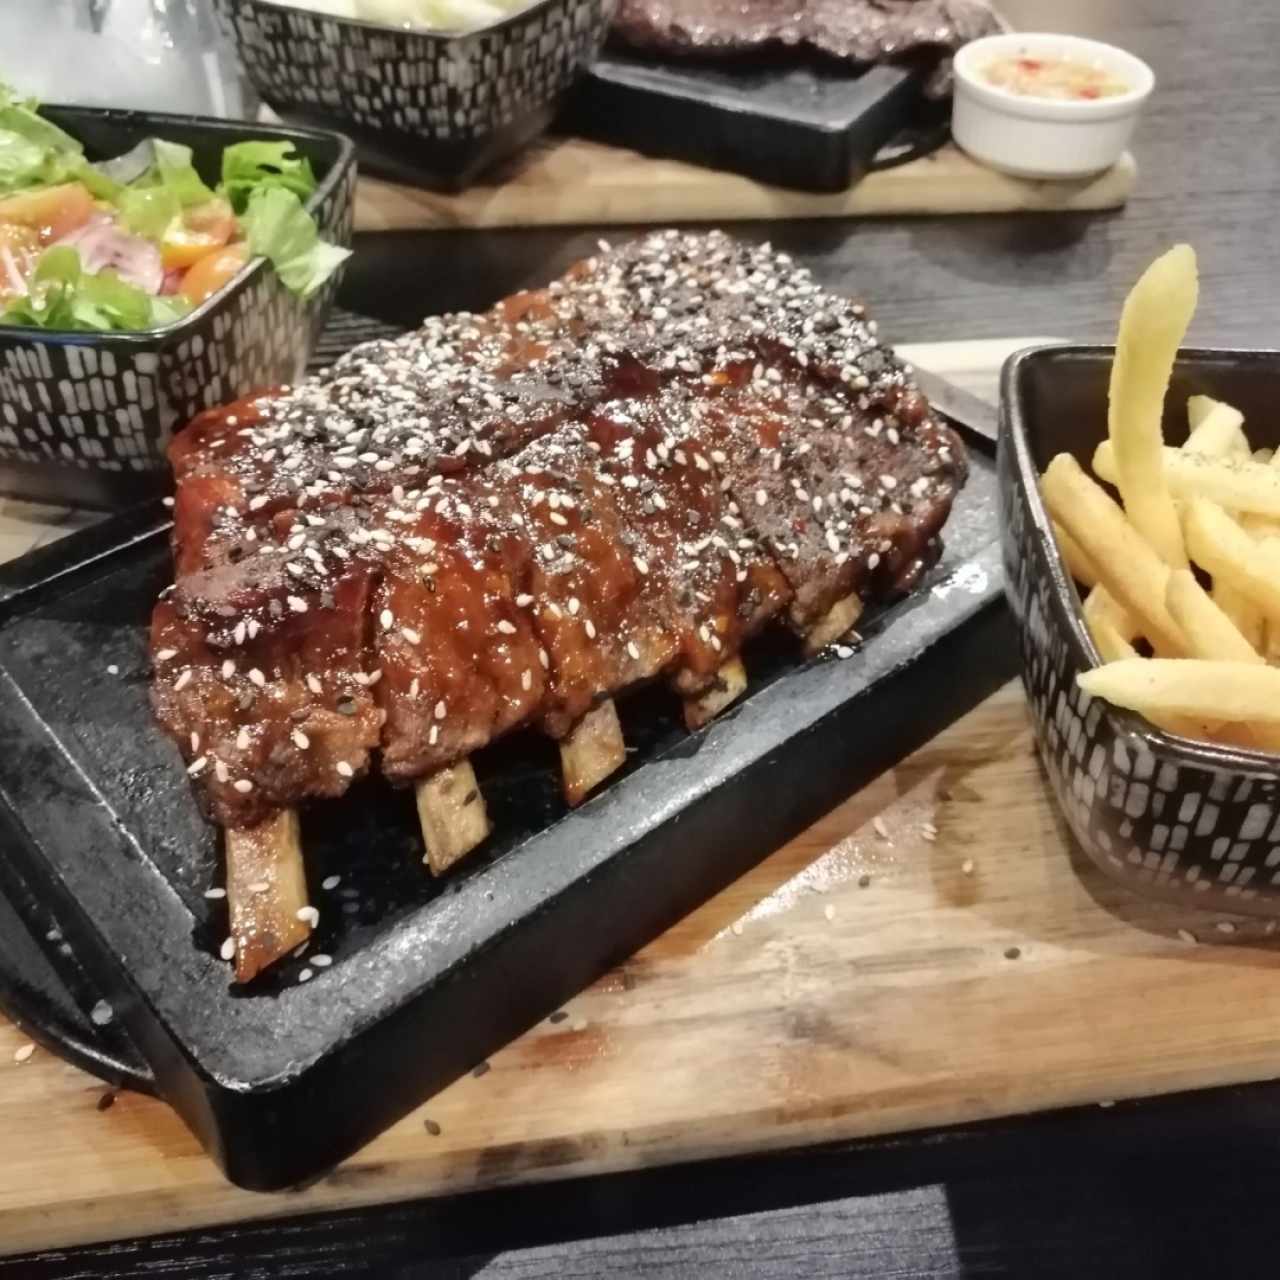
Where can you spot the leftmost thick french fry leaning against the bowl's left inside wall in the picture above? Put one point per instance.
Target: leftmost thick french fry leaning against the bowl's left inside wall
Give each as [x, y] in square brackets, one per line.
[1131, 572]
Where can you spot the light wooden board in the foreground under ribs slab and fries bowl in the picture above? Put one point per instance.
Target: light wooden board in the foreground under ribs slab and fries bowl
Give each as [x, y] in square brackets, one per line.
[931, 953]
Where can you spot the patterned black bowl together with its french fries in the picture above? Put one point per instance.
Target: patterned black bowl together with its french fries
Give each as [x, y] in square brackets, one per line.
[1141, 490]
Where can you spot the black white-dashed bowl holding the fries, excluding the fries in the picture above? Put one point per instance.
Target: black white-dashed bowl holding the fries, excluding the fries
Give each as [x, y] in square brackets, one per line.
[1176, 820]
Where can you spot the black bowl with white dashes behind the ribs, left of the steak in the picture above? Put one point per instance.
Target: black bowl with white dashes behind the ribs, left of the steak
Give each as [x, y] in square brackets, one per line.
[427, 108]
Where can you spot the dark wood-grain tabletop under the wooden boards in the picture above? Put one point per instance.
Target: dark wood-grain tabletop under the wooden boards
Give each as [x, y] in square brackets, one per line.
[1182, 1186]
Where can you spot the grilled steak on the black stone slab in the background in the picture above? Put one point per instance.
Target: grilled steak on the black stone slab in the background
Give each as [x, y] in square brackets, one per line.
[865, 31]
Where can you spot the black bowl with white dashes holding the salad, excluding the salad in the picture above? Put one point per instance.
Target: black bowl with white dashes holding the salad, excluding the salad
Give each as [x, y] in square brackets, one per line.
[85, 418]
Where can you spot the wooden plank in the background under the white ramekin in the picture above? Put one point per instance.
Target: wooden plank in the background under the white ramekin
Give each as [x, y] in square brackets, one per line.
[572, 181]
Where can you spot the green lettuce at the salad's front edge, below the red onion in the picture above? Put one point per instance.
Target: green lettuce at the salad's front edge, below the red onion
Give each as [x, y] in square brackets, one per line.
[65, 296]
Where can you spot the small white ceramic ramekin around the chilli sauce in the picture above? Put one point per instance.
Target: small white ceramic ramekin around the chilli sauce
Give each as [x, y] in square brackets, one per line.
[1040, 138]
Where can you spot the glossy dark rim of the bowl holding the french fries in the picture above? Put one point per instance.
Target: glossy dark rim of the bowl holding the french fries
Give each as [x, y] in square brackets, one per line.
[1064, 595]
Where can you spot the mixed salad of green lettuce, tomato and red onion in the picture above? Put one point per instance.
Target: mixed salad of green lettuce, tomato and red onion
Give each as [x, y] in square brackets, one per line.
[136, 243]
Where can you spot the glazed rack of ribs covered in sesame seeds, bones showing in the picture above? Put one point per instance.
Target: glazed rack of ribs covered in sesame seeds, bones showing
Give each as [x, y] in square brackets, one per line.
[511, 519]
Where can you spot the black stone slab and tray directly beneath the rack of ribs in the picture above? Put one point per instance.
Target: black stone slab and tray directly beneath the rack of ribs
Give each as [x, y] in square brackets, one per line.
[107, 860]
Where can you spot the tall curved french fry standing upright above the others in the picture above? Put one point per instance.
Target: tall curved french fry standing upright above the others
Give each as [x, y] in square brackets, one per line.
[1153, 327]
